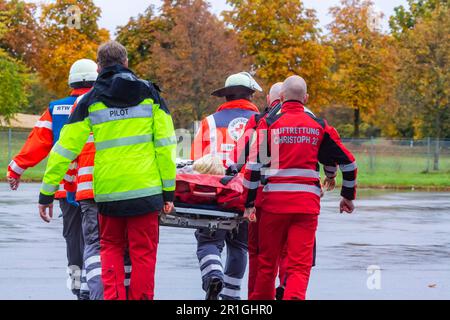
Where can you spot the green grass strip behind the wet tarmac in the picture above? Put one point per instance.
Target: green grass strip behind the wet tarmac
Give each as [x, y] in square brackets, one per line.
[404, 170]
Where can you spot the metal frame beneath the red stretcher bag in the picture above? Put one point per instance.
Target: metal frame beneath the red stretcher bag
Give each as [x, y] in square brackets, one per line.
[194, 218]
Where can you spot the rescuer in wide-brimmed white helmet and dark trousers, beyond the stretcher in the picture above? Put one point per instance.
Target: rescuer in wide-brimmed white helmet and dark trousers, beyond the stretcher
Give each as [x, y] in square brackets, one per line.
[218, 136]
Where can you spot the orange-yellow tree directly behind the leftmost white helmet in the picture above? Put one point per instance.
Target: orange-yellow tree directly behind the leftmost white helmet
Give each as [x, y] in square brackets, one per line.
[71, 32]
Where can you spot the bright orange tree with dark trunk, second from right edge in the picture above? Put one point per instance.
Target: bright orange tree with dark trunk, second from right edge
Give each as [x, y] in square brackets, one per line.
[364, 69]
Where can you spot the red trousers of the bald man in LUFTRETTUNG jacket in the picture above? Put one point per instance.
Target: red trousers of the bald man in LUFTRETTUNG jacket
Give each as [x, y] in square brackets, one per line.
[296, 232]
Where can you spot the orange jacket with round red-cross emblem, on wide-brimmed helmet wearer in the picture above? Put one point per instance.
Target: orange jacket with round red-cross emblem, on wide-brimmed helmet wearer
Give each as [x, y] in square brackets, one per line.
[220, 131]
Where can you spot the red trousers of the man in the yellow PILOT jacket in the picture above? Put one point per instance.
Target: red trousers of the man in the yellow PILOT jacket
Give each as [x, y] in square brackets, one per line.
[140, 235]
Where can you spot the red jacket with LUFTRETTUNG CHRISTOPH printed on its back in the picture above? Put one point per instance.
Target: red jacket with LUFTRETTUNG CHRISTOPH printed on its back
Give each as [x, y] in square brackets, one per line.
[286, 159]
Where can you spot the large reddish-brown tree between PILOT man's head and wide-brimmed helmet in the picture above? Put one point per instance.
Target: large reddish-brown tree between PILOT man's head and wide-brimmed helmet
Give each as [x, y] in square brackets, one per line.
[188, 51]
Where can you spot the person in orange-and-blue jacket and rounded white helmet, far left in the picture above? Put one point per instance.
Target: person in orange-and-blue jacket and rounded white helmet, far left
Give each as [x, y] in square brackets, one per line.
[43, 137]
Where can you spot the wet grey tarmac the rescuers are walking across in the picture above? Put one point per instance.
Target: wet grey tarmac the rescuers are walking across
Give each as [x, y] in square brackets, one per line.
[405, 234]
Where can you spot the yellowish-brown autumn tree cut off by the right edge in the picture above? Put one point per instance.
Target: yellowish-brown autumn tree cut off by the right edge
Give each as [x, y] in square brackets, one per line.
[424, 81]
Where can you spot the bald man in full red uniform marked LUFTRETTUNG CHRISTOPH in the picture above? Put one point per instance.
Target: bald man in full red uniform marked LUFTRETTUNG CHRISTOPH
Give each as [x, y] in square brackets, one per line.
[289, 147]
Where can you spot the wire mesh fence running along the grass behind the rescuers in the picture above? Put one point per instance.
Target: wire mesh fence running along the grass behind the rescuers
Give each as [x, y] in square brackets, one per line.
[375, 157]
